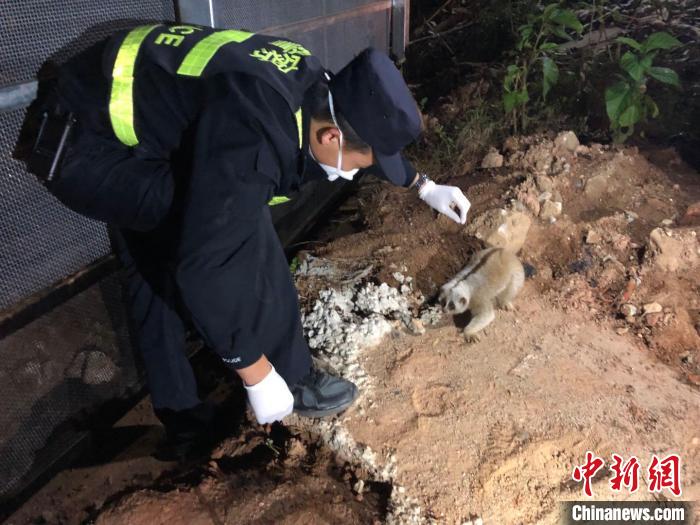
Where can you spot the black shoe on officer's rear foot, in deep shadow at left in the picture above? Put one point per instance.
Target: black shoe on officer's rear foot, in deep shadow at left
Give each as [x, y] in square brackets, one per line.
[189, 434]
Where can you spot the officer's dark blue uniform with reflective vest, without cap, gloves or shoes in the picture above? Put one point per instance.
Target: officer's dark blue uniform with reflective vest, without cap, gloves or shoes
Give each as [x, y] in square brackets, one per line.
[190, 197]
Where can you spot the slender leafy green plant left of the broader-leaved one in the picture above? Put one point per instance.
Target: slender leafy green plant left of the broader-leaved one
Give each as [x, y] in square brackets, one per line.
[536, 44]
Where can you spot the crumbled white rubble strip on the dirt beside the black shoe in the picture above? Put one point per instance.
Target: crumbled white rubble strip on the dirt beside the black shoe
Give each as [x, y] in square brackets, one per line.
[340, 325]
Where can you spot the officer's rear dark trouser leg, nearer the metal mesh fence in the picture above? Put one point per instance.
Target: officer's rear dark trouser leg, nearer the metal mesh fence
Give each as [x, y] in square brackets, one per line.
[159, 329]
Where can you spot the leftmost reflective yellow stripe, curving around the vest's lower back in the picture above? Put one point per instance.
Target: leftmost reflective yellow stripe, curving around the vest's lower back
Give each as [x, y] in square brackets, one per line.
[121, 101]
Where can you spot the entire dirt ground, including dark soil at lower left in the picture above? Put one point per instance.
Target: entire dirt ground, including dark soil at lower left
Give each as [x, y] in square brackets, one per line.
[601, 353]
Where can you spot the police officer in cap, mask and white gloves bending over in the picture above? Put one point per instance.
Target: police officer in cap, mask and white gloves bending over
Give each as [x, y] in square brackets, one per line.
[184, 137]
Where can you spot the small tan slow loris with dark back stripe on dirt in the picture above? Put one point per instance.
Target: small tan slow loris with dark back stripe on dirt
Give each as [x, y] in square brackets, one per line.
[493, 276]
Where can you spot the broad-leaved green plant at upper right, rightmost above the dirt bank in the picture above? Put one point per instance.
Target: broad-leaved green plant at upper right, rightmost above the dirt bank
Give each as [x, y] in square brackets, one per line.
[627, 101]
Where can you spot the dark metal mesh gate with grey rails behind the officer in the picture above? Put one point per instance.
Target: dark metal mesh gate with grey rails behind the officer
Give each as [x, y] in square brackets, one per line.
[64, 345]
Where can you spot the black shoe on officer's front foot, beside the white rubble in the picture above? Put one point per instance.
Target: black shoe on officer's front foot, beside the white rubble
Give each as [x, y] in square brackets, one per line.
[320, 394]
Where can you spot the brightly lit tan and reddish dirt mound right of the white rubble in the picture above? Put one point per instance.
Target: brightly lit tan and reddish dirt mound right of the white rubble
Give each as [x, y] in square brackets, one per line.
[492, 429]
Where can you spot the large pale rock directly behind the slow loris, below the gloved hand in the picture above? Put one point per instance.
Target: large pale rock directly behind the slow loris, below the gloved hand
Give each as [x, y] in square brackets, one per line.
[501, 228]
